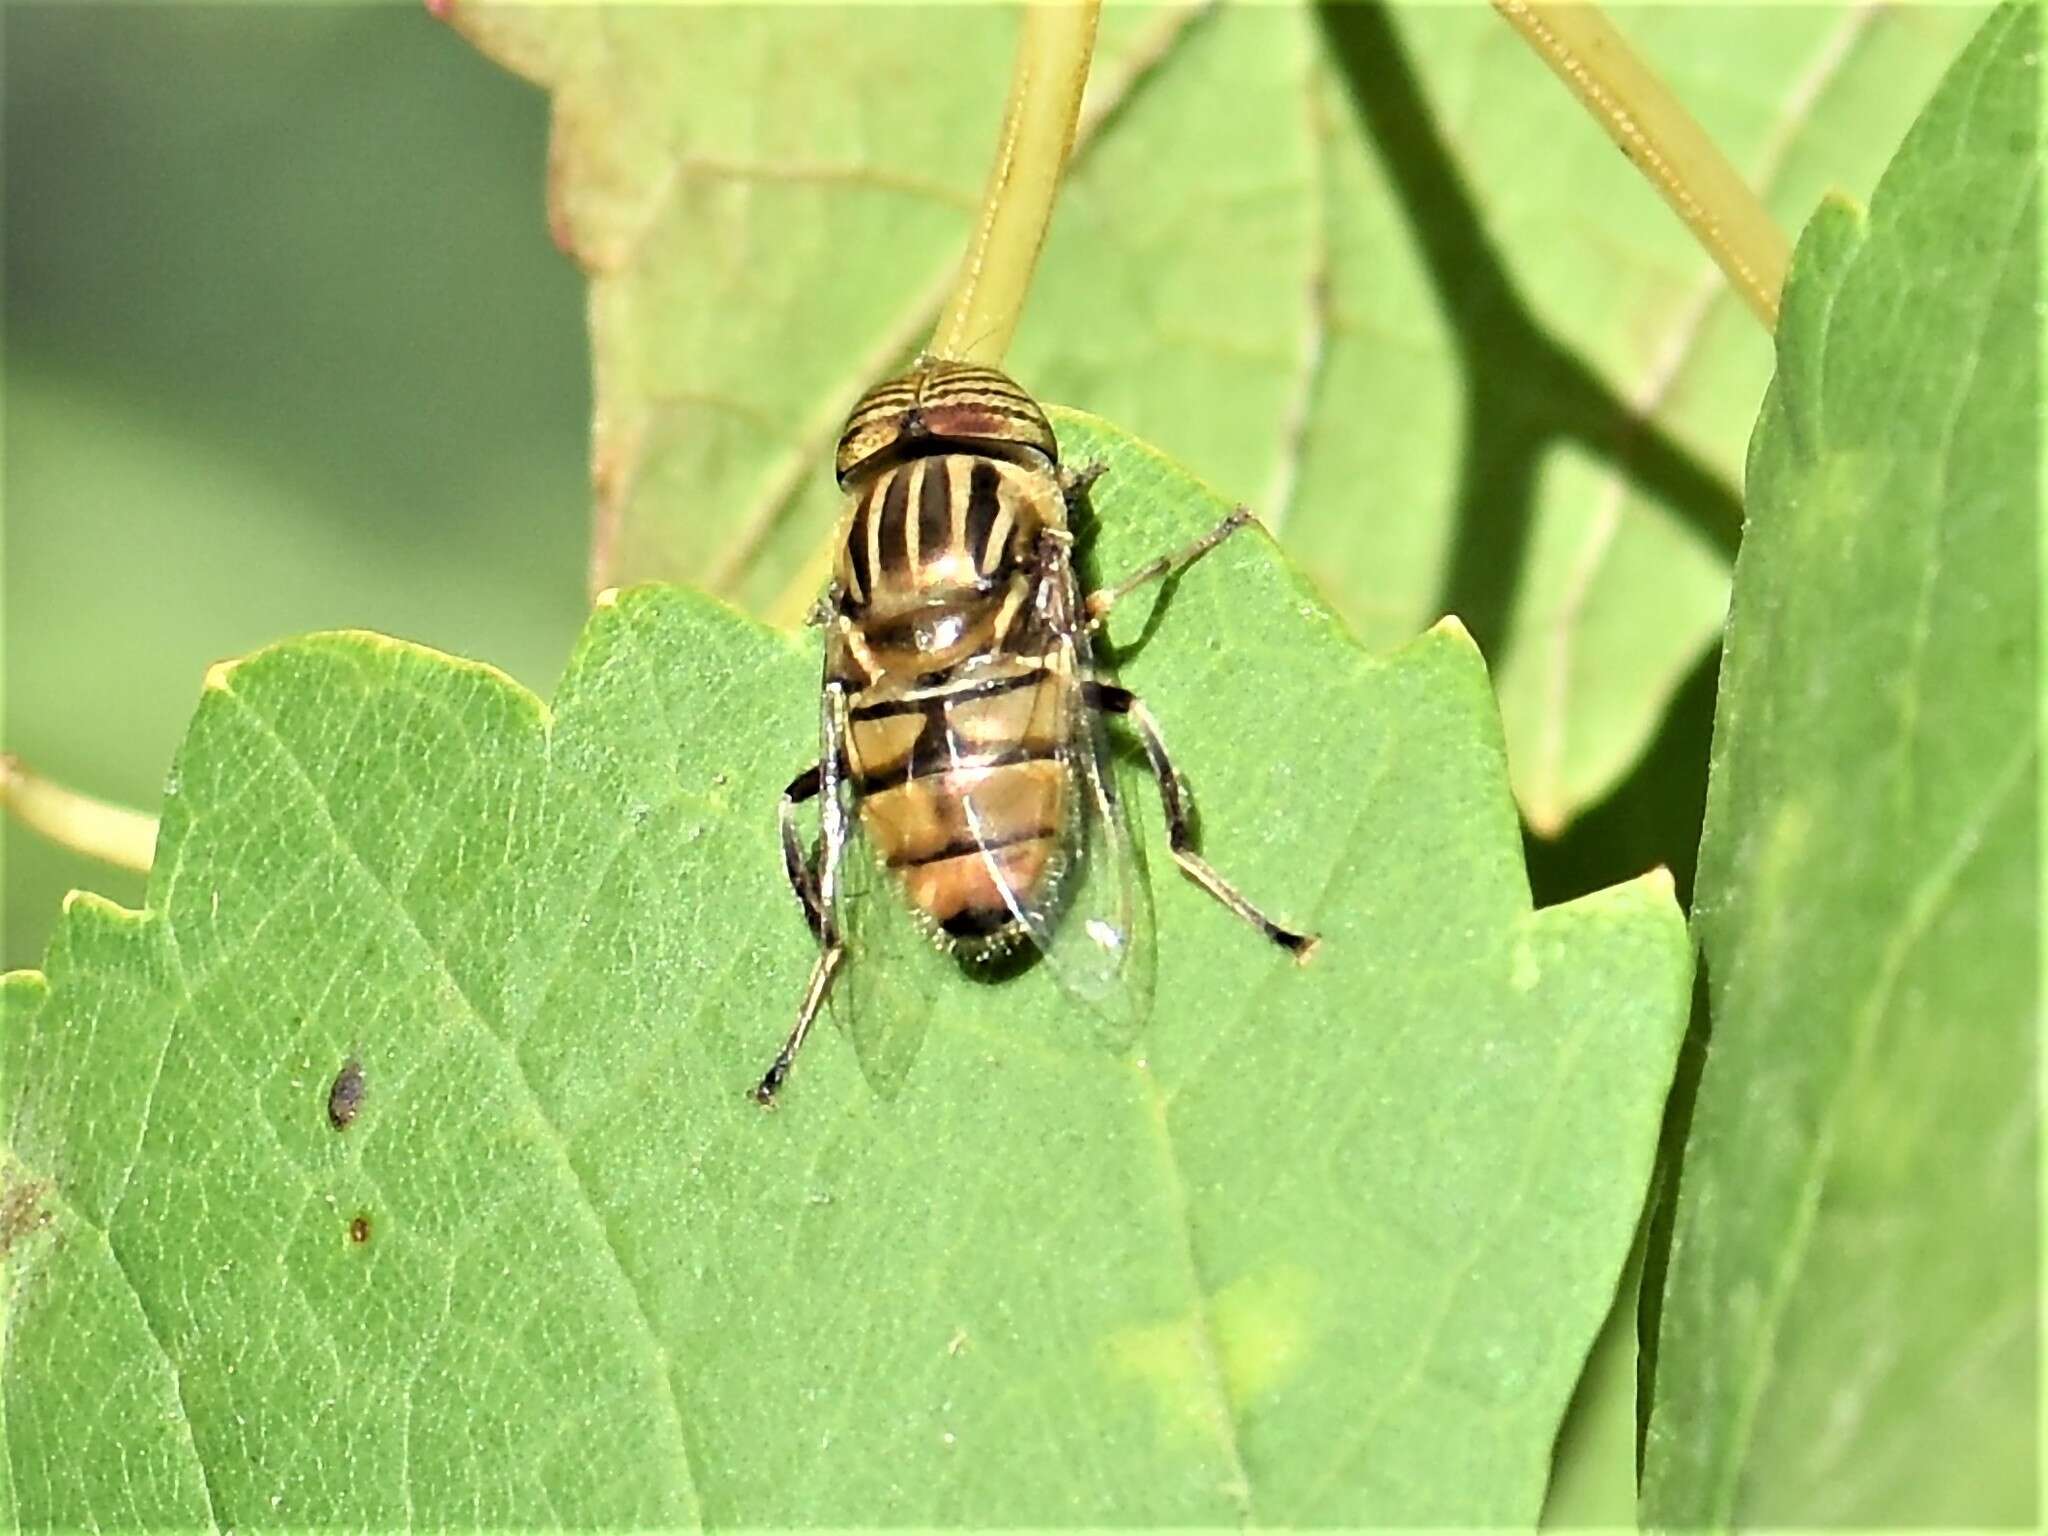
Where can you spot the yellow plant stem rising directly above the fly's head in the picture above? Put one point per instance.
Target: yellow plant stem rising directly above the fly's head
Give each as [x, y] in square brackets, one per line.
[1056, 44]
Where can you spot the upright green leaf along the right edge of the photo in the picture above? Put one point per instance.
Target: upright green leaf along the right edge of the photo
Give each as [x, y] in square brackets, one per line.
[1850, 1326]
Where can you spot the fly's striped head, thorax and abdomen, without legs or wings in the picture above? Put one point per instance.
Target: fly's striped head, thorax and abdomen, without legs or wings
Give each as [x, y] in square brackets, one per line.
[962, 701]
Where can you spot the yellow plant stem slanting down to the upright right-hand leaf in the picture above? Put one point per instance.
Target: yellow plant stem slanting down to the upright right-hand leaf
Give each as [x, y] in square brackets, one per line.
[1664, 142]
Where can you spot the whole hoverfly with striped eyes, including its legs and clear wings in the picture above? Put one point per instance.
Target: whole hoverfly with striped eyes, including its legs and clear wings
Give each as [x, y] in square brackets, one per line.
[962, 746]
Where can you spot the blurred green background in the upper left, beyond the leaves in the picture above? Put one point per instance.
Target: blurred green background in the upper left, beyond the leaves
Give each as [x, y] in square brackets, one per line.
[288, 349]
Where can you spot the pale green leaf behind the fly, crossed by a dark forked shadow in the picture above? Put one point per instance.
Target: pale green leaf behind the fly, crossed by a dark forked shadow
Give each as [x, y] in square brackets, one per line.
[1371, 271]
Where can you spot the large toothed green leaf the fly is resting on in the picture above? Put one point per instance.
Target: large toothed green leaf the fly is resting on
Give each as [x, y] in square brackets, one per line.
[1326, 1246]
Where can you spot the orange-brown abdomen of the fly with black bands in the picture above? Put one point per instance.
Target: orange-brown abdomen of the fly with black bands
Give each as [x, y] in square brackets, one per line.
[964, 790]
